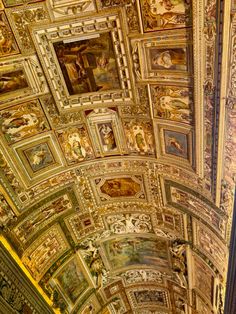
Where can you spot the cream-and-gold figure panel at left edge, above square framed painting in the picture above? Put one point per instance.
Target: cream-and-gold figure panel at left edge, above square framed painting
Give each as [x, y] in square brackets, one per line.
[22, 121]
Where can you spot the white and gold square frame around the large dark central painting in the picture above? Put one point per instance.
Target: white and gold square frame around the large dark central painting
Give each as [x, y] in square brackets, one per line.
[45, 37]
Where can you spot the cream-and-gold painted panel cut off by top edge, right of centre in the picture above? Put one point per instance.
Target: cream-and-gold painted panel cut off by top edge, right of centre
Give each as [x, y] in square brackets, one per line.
[164, 14]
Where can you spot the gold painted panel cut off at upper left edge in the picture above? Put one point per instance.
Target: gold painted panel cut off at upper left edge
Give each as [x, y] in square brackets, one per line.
[8, 44]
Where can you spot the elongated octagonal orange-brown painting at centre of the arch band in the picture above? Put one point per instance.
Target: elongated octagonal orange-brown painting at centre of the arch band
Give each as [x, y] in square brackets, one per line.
[120, 187]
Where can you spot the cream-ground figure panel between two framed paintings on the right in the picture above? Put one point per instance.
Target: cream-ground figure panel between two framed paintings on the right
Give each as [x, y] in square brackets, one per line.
[172, 103]
